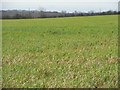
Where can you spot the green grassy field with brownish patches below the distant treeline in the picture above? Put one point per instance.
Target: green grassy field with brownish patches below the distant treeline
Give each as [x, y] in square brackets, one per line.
[60, 52]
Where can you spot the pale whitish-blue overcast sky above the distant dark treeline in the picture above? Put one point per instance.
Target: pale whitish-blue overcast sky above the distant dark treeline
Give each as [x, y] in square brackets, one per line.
[59, 5]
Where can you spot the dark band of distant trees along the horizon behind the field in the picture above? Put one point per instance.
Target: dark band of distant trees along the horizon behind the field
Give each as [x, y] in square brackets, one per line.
[24, 14]
